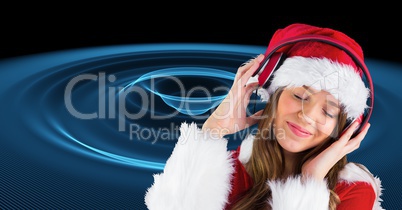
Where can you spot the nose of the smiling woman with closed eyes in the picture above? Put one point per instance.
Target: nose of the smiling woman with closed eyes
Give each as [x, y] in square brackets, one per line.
[311, 113]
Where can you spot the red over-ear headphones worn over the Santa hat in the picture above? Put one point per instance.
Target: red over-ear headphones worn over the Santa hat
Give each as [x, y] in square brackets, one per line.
[274, 59]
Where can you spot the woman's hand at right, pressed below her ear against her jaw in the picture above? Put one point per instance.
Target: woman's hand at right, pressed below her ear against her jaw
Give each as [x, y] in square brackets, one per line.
[320, 165]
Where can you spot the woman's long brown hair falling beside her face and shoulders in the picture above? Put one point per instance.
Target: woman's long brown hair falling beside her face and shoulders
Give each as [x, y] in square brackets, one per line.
[267, 161]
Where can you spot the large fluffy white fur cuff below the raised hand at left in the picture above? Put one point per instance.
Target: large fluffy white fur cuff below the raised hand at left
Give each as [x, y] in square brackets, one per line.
[196, 176]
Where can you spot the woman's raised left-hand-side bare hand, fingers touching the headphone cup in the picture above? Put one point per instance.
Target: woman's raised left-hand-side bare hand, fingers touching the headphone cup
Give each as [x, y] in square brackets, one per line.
[231, 115]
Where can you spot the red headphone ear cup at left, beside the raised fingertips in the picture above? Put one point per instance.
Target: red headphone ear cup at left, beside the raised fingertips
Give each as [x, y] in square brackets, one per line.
[272, 64]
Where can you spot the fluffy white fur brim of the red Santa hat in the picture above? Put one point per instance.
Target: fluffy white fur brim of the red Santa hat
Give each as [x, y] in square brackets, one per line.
[341, 80]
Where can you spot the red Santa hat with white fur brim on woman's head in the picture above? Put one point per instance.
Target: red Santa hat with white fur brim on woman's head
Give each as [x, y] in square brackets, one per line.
[321, 66]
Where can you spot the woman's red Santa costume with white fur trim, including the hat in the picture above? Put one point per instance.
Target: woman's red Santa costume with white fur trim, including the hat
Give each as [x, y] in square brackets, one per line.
[202, 174]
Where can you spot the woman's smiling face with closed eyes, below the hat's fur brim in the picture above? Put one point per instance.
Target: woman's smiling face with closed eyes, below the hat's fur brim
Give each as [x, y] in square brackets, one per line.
[305, 118]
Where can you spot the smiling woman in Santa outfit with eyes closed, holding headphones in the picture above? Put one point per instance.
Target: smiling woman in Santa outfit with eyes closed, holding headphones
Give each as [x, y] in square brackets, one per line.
[297, 159]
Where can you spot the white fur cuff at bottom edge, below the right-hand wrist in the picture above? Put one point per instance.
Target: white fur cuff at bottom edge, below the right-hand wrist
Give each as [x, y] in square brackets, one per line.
[300, 194]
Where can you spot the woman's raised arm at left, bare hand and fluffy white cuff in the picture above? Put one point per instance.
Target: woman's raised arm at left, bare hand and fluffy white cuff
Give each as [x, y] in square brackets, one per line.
[198, 173]
